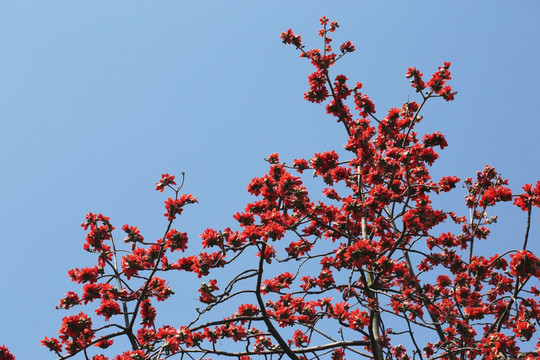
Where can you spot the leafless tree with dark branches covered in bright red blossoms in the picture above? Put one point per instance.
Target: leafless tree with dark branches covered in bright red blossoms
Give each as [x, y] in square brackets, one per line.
[356, 273]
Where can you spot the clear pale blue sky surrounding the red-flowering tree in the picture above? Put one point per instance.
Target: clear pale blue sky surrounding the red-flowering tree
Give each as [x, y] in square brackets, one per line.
[98, 98]
